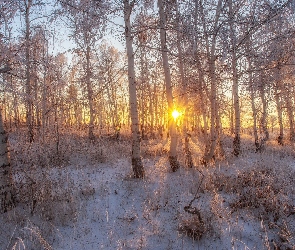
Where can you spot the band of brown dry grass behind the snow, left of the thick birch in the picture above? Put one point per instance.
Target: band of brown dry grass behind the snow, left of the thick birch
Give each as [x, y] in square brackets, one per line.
[46, 152]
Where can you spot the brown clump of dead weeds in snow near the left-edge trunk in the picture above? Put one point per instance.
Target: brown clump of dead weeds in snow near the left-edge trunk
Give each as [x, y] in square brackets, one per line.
[47, 196]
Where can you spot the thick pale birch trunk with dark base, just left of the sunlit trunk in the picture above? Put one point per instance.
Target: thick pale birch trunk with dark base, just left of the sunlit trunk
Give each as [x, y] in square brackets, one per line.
[137, 165]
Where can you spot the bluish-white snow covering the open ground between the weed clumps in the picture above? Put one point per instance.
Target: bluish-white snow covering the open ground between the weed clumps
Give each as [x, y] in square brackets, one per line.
[109, 209]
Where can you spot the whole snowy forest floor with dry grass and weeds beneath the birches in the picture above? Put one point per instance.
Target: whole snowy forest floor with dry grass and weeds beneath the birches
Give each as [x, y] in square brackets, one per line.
[85, 197]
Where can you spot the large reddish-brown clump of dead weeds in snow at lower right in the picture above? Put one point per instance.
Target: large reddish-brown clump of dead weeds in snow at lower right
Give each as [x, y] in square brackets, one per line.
[266, 190]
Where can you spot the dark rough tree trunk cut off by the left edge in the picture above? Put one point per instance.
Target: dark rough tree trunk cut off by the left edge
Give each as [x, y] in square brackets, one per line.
[7, 194]
